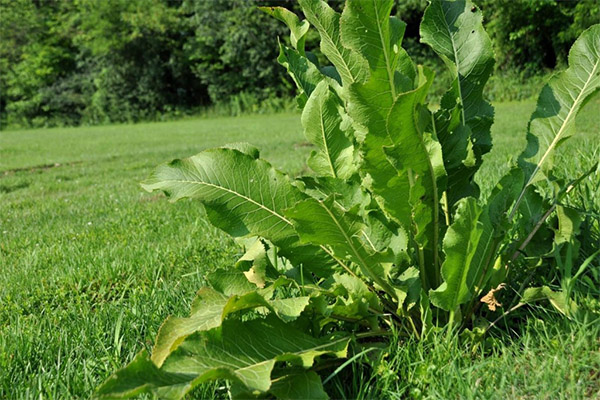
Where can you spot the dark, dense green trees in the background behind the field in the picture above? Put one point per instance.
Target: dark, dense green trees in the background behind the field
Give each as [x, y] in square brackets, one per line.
[85, 61]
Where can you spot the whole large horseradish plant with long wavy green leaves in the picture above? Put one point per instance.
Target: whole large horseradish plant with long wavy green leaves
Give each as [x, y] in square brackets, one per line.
[389, 234]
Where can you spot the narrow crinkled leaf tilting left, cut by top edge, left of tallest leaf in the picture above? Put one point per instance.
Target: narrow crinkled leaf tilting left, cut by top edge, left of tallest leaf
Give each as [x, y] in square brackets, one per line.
[350, 66]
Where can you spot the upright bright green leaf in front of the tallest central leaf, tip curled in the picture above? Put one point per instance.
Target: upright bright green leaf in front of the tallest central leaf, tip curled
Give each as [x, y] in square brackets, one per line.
[420, 176]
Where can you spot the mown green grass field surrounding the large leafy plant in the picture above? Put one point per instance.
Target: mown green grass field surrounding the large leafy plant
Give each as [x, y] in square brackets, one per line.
[90, 265]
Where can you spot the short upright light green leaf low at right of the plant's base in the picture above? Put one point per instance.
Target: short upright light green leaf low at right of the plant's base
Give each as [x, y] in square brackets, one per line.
[459, 269]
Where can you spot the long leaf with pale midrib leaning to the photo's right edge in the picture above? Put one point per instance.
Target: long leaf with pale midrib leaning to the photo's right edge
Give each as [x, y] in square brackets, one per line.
[558, 104]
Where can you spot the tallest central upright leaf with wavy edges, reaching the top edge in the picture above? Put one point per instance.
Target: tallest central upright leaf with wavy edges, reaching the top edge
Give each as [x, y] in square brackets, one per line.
[368, 29]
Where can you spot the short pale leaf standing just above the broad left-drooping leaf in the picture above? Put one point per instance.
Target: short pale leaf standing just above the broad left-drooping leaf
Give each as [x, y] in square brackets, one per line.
[322, 121]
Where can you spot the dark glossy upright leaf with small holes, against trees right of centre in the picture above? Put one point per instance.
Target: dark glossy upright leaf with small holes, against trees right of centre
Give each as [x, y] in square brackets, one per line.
[454, 31]
